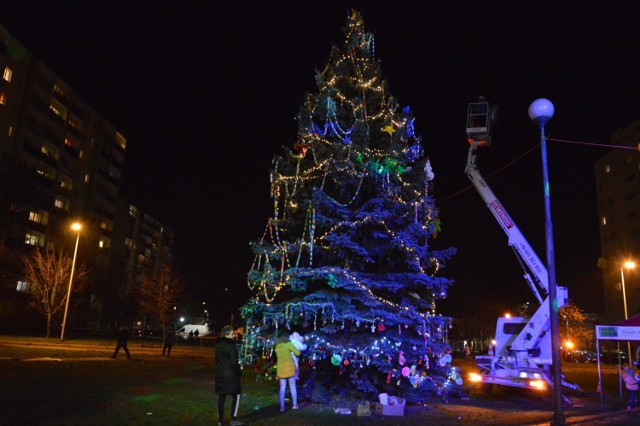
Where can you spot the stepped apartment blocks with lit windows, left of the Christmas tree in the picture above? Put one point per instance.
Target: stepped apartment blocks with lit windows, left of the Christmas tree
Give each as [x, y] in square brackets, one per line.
[62, 162]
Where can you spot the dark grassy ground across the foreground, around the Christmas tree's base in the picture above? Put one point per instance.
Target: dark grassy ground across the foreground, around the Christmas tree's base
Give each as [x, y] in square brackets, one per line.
[77, 383]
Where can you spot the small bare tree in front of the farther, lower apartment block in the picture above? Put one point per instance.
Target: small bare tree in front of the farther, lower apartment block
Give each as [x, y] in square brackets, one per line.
[159, 293]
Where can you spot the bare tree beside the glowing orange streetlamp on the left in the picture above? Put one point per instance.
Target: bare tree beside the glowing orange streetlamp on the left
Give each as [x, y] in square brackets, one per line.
[47, 273]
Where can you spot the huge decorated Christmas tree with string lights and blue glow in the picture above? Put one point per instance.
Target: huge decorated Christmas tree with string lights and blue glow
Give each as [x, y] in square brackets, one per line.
[346, 259]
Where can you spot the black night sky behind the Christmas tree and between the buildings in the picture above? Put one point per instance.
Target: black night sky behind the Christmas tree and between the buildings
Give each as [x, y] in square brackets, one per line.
[207, 91]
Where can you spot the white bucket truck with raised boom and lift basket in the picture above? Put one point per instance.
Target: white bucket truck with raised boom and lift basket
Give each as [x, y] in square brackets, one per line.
[522, 356]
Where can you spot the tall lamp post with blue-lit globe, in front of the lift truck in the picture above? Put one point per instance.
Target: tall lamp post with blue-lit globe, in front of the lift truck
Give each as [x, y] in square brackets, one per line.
[541, 110]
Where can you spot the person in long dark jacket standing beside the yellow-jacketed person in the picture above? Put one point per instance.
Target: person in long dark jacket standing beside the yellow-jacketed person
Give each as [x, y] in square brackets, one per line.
[228, 374]
